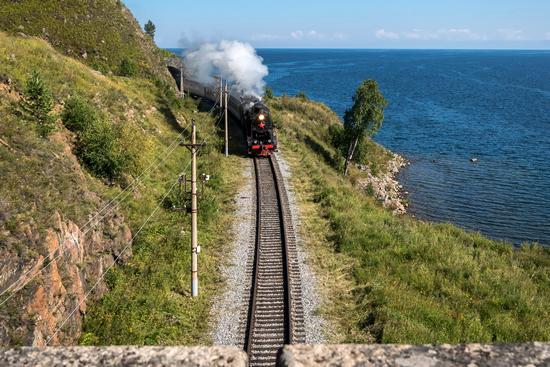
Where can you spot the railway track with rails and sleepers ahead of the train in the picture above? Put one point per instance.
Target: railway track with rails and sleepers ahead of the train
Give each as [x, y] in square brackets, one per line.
[275, 311]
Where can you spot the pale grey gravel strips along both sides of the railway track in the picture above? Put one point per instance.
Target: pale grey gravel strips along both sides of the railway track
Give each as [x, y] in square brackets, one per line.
[228, 309]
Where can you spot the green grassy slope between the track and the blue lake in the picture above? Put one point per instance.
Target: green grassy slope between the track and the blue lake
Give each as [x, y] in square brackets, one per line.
[399, 280]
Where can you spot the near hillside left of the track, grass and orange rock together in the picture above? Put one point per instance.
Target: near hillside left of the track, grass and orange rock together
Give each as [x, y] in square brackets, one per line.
[64, 223]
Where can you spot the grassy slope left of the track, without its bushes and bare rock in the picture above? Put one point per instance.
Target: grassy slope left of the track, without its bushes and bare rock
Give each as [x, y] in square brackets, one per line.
[148, 302]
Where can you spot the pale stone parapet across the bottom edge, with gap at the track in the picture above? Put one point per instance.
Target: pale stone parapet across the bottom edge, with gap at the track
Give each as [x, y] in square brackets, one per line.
[478, 355]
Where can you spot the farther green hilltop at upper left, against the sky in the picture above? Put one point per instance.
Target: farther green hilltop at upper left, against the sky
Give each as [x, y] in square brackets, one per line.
[103, 30]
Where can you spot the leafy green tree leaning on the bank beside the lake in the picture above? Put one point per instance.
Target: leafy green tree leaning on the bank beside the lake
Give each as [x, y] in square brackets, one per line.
[365, 117]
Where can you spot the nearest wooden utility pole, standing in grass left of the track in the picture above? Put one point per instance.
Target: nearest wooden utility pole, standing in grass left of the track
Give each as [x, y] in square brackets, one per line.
[195, 248]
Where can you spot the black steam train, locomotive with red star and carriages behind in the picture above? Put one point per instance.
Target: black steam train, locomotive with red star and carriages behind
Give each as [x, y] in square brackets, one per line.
[249, 110]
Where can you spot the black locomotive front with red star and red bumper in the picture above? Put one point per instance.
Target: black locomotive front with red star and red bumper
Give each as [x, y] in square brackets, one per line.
[262, 138]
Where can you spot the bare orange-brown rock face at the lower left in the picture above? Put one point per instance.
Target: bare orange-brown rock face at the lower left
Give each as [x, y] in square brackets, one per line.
[48, 294]
